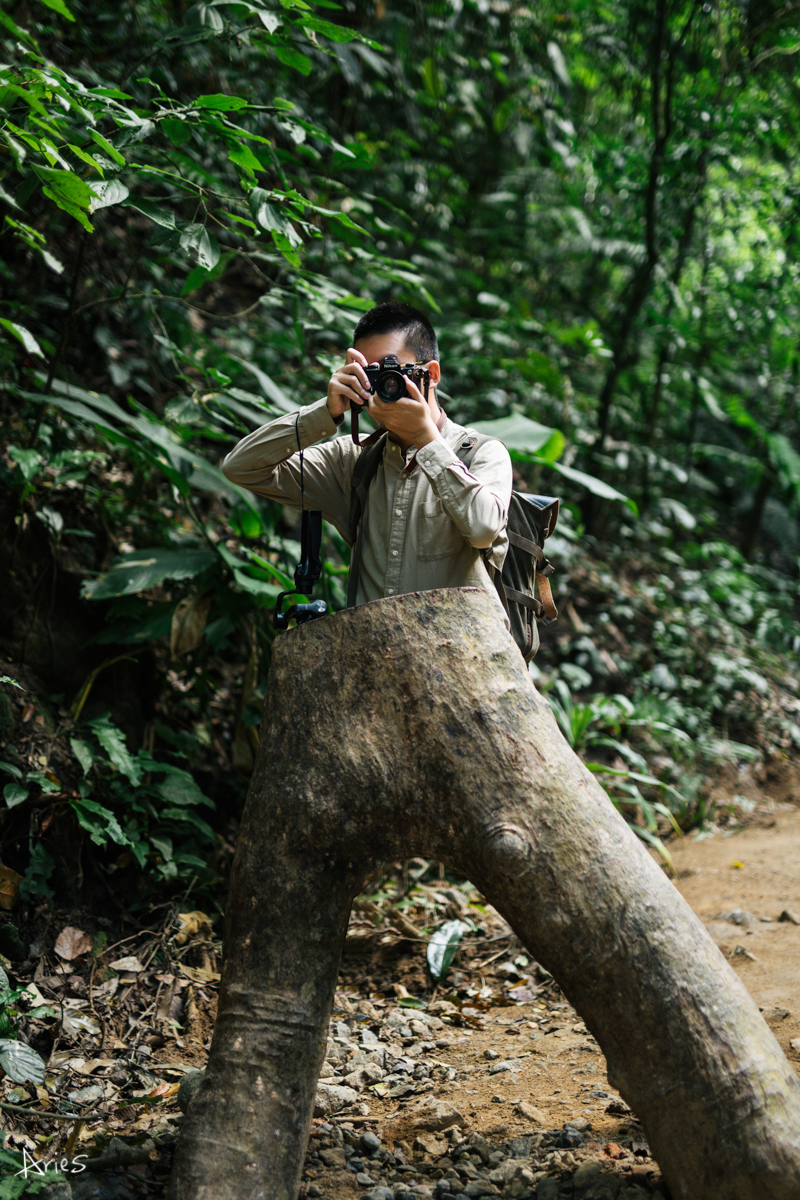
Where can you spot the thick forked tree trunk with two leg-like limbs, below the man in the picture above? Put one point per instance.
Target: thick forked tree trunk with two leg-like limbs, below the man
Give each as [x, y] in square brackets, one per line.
[411, 727]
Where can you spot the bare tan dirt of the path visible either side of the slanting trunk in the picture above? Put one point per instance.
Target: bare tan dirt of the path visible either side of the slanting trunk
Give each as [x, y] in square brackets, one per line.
[745, 887]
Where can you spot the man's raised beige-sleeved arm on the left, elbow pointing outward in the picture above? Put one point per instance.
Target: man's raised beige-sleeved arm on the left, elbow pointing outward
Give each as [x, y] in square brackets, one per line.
[267, 463]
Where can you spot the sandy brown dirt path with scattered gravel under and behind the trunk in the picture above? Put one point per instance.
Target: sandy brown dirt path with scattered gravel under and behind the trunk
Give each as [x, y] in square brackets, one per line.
[552, 1072]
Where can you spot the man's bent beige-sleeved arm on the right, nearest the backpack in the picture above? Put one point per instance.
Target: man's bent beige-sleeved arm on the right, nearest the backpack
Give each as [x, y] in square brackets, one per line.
[477, 500]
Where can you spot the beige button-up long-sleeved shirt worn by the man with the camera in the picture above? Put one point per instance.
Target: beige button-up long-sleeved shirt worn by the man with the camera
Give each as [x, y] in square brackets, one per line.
[425, 524]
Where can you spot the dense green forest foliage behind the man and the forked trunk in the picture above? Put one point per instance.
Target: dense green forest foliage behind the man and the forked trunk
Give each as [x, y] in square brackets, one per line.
[598, 205]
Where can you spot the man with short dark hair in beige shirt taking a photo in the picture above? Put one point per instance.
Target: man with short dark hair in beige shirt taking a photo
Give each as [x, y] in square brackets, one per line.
[428, 518]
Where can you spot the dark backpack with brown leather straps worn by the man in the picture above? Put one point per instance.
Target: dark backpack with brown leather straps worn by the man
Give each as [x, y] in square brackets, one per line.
[532, 520]
